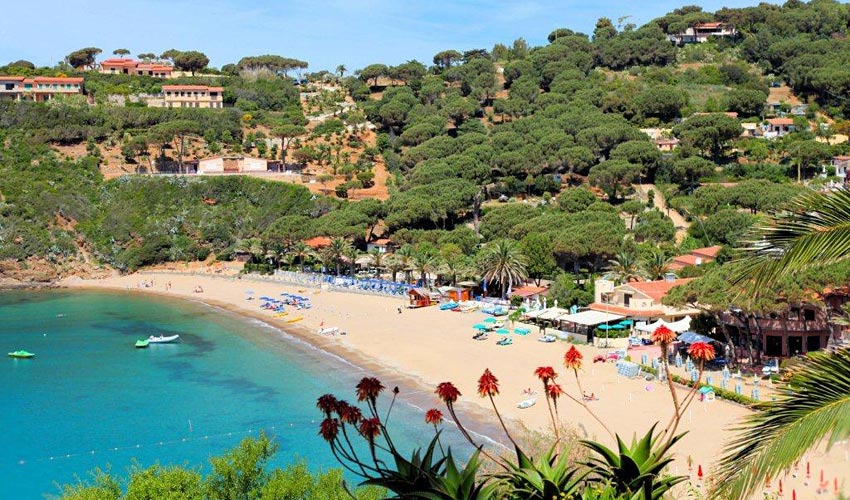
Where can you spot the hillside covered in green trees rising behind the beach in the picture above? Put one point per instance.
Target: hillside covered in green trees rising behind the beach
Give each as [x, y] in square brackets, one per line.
[541, 147]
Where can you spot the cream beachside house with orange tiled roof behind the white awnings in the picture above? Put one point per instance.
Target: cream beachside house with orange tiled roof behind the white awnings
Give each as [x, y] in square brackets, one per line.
[638, 300]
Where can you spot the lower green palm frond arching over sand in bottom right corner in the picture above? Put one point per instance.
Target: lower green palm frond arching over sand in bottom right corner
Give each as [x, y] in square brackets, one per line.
[813, 408]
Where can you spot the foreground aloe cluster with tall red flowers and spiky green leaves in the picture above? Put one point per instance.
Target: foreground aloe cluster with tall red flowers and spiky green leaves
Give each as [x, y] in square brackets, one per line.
[633, 472]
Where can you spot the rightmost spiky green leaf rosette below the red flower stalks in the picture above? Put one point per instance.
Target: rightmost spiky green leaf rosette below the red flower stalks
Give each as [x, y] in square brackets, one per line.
[635, 469]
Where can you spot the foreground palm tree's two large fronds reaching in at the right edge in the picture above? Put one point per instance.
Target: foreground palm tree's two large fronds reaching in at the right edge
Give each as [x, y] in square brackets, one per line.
[814, 231]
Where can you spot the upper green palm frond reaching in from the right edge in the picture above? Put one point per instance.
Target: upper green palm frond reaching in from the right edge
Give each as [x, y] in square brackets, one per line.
[814, 231]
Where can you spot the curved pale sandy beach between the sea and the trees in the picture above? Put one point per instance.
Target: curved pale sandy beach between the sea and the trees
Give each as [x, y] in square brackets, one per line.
[423, 347]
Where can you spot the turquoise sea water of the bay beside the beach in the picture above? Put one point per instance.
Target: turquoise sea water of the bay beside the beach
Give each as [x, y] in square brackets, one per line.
[90, 399]
